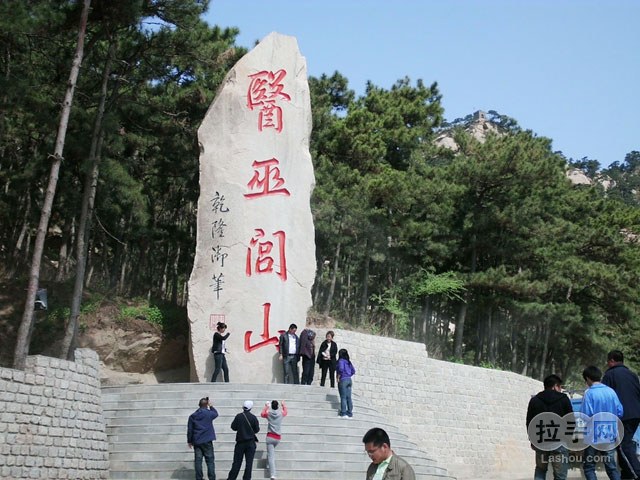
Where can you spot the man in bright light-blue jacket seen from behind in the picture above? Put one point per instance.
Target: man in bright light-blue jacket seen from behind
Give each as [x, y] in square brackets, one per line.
[599, 398]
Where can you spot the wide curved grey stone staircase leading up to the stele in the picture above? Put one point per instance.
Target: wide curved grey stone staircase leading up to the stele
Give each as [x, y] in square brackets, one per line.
[147, 425]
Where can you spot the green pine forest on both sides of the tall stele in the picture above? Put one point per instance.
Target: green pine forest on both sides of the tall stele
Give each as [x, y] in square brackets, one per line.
[488, 249]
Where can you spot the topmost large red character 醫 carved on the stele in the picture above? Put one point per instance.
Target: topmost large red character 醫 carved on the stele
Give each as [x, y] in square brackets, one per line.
[264, 91]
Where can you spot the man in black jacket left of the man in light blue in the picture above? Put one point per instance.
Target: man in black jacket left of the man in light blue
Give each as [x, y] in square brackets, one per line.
[550, 400]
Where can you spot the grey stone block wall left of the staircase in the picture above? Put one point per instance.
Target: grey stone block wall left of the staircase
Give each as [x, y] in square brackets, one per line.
[51, 422]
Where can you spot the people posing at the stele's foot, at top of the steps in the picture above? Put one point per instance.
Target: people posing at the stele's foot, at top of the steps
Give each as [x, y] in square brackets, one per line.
[292, 348]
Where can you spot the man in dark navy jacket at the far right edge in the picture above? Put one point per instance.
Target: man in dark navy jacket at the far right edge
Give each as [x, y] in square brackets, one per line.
[627, 386]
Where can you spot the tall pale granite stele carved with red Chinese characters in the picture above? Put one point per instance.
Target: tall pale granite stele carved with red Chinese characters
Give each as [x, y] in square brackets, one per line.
[255, 254]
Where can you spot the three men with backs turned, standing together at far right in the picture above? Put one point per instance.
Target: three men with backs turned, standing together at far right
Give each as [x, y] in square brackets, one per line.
[609, 397]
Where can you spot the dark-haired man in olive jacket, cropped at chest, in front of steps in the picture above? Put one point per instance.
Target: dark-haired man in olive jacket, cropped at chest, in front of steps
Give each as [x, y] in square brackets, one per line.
[385, 465]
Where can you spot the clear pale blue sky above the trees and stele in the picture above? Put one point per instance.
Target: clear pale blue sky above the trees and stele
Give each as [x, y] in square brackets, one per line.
[566, 69]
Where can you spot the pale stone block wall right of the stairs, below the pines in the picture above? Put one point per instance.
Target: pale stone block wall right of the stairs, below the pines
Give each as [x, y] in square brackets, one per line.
[470, 420]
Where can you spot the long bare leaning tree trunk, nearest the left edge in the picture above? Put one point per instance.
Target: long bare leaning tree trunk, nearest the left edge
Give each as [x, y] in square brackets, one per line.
[26, 324]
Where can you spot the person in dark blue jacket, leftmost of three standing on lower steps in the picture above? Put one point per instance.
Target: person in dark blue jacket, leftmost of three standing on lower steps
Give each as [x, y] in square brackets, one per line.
[200, 437]
